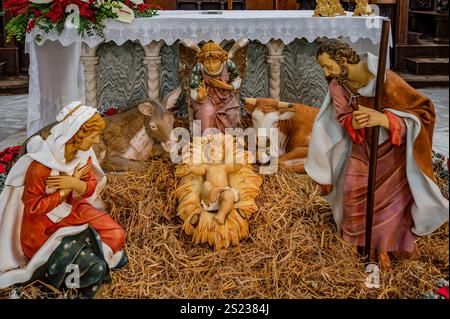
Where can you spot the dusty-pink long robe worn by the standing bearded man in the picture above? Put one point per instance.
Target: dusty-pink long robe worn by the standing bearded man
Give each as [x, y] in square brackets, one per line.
[392, 220]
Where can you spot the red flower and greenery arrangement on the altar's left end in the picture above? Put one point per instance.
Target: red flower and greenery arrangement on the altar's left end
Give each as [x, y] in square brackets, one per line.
[87, 16]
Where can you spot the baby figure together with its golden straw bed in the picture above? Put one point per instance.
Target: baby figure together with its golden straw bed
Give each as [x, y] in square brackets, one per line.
[217, 195]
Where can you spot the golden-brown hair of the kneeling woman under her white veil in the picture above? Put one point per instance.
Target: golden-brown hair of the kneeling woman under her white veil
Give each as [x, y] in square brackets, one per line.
[94, 124]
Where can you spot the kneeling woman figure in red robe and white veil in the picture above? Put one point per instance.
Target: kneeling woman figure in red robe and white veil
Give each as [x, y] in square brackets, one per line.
[50, 195]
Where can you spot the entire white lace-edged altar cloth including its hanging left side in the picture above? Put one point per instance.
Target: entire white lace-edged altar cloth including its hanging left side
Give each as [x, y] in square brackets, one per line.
[56, 76]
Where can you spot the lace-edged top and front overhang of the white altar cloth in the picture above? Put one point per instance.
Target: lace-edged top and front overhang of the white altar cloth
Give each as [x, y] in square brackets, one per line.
[229, 25]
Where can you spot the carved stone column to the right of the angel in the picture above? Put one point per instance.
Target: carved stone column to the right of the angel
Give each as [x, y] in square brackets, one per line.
[275, 59]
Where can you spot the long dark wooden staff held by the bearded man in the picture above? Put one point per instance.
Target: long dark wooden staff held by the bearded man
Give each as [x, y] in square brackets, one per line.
[382, 57]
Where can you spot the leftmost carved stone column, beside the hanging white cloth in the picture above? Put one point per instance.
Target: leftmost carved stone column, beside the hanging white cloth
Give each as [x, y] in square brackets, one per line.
[90, 61]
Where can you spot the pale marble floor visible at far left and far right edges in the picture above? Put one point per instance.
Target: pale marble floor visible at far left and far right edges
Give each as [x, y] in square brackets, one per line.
[13, 118]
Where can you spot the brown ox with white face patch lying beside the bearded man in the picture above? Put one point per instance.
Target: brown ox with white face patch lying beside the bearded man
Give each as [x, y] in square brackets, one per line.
[294, 121]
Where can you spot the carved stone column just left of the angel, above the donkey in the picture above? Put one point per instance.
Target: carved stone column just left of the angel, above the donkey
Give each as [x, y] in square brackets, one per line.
[152, 60]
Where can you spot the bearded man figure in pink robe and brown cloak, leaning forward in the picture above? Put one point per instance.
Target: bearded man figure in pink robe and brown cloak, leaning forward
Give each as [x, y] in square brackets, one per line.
[408, 203]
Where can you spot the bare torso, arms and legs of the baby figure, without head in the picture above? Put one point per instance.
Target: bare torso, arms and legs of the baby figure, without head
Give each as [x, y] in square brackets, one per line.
[216, 193]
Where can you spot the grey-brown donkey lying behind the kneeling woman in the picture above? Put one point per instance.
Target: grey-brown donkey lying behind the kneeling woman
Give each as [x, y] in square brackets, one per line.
[136, 134]
